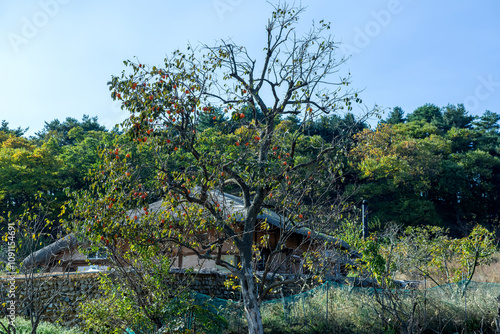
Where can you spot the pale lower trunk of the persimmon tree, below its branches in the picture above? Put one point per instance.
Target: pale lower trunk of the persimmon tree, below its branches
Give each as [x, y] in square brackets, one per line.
[251, 303]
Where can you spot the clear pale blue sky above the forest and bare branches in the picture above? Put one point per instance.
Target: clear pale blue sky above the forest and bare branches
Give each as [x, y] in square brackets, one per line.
[56, 56]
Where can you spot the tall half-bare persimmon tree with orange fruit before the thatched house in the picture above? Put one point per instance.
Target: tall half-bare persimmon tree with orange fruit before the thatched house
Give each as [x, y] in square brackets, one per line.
[267, 162]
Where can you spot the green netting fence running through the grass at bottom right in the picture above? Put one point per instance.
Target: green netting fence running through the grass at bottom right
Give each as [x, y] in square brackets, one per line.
[342, 308]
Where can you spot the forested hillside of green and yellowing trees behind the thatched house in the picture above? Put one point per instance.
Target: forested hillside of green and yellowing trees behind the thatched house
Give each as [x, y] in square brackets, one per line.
[434, 166]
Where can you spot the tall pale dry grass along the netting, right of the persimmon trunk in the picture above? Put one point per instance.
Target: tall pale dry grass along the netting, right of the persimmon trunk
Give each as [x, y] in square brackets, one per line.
[444, 309]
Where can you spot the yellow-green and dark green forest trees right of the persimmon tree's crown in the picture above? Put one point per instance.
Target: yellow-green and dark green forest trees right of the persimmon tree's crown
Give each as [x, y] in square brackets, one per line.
[424, 172]
